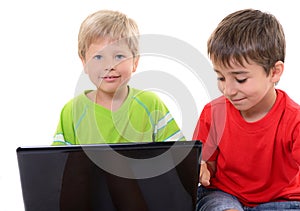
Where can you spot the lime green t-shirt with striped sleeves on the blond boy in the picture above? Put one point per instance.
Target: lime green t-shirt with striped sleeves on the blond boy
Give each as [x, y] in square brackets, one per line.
[143, 117]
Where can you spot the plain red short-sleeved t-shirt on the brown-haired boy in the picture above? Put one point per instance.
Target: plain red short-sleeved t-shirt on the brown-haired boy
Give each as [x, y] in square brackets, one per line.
[257, 162]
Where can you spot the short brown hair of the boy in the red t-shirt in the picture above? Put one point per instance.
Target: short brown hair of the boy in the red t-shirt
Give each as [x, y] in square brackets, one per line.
[247, 35]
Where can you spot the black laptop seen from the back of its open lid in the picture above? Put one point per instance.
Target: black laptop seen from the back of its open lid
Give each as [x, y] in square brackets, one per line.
[156, 176]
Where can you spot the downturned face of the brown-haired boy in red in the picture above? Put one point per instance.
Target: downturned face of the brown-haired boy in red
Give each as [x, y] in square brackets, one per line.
[248, 88]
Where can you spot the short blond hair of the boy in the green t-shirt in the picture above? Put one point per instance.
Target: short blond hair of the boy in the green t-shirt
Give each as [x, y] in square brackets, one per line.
[111, 25]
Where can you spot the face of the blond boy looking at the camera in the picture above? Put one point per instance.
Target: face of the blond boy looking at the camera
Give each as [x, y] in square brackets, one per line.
[109, 65]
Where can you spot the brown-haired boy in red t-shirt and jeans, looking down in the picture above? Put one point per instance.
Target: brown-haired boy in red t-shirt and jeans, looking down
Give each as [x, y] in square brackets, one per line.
[251, 134]
